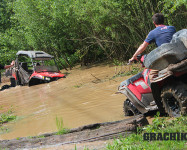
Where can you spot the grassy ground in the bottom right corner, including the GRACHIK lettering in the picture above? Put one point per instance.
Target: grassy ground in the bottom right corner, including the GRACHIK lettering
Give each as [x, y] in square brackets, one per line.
[164, 133]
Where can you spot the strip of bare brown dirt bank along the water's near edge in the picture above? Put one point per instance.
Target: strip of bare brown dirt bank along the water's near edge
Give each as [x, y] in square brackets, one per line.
[89, 133]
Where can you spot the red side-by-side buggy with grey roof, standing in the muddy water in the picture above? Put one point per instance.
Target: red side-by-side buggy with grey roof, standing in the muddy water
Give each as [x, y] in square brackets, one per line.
[34, 67]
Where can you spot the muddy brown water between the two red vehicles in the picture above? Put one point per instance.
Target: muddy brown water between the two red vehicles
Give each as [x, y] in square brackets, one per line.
[86, 96]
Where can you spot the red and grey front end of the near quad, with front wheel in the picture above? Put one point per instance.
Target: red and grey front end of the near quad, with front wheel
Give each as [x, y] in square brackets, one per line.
[139, 94]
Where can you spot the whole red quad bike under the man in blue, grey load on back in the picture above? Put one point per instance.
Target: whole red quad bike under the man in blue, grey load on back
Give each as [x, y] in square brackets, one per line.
[168, 91]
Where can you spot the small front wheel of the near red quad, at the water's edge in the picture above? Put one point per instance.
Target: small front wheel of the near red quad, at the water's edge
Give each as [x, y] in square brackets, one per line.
[129, 109]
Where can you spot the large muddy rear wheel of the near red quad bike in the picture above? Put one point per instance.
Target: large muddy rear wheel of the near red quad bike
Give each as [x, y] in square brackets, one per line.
[174, 99]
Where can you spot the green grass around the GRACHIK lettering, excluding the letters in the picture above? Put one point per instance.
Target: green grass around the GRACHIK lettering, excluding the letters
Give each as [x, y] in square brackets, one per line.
[160, 125]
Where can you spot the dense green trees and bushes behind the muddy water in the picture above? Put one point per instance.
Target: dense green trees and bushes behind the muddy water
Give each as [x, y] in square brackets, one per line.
[82, 31]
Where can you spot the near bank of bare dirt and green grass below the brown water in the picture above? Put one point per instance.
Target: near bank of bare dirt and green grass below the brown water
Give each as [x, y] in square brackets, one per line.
[123, 134]
